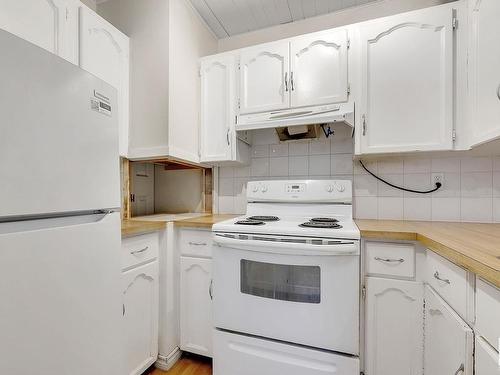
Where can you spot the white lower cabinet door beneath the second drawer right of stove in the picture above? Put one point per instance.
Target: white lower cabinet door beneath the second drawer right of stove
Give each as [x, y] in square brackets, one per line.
[448, 339]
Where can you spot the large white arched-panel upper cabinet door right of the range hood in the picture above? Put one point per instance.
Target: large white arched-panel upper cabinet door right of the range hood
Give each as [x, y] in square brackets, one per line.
[407, 64]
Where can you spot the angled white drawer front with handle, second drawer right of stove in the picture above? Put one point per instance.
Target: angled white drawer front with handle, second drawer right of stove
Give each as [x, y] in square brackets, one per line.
[449, 280]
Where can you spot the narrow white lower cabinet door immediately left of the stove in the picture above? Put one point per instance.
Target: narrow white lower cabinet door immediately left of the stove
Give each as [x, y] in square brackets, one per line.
[196, 305]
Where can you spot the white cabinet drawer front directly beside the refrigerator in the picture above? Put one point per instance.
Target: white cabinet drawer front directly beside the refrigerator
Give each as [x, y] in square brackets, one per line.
[139, 249]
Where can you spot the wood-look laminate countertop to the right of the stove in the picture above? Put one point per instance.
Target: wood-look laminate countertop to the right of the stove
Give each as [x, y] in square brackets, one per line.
[473, 246]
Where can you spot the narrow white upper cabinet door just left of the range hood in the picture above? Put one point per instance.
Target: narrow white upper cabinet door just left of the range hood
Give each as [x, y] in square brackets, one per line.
[217, 108]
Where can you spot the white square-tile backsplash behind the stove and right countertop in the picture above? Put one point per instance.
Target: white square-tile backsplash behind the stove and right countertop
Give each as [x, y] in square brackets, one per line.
[470, 192]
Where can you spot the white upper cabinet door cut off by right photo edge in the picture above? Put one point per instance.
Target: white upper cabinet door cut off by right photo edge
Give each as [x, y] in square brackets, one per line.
[484, 70]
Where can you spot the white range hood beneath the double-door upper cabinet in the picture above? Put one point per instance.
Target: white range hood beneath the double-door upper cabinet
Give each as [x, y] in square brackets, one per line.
[323, 114]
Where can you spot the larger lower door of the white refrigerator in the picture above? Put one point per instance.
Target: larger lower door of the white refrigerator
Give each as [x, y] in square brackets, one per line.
[61, 300]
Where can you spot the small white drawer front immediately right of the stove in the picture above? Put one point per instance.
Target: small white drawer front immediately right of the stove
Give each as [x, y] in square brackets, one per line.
[390, 259]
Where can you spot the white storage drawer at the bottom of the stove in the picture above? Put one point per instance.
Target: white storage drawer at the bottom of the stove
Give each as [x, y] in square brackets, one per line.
[244, 355]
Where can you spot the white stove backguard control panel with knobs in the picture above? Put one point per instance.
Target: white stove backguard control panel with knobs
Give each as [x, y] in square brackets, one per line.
[300, 191]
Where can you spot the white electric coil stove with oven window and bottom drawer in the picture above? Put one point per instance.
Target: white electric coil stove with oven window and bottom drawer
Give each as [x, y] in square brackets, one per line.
[286, 282]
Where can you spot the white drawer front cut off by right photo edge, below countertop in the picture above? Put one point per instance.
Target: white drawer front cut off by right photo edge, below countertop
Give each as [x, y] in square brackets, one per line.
[487, 312]
